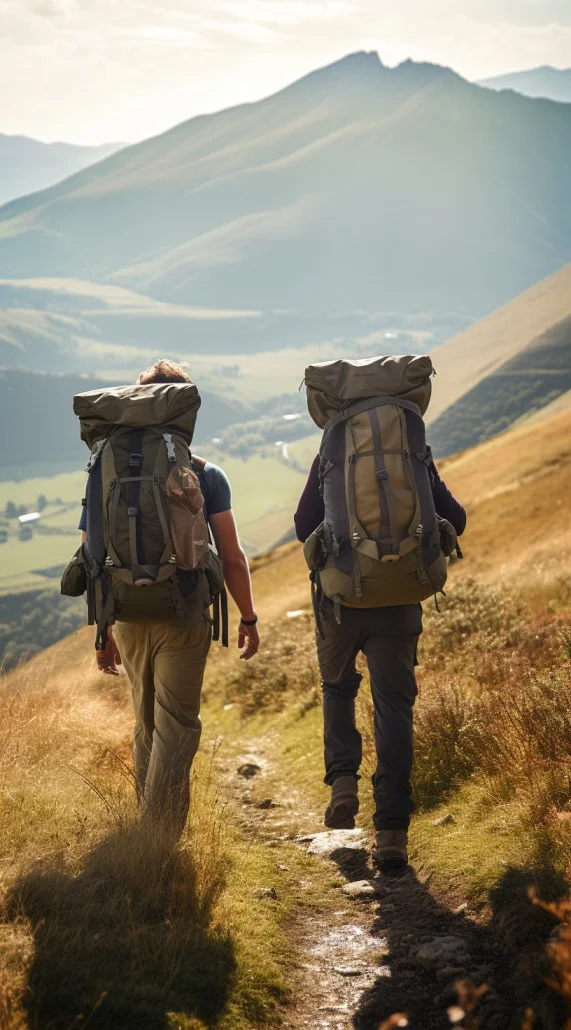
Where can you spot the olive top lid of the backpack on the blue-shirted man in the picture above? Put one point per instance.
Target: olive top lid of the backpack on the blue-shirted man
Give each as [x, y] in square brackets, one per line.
[138, 406]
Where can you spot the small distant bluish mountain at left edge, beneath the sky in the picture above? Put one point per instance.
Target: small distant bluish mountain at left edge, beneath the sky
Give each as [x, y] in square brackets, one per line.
[28, 165]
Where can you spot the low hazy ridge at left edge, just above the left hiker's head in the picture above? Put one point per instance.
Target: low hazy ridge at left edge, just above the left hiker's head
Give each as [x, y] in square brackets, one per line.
[73, 326]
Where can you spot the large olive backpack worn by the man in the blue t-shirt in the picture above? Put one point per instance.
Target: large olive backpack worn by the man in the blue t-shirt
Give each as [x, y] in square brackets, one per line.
[140, 440]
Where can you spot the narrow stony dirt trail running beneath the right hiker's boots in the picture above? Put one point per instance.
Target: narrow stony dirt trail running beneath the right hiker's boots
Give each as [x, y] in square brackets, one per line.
[372, 946]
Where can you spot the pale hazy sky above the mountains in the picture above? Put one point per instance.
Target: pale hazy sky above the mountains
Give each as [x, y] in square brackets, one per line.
[96, 71]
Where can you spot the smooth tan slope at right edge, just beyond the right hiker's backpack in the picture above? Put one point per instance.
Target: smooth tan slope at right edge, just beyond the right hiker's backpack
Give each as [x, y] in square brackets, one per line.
[481, 351]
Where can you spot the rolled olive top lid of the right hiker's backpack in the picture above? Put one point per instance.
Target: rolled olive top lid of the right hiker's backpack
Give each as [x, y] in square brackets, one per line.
[331, 386]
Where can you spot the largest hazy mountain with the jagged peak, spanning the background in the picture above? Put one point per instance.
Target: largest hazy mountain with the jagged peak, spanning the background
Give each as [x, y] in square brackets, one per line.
[357, 188]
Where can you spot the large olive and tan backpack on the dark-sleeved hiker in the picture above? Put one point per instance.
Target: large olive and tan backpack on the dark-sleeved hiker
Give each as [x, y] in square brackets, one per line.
[382, 542]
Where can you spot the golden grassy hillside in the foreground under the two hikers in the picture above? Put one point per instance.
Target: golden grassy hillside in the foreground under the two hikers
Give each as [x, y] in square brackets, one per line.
[193, 941]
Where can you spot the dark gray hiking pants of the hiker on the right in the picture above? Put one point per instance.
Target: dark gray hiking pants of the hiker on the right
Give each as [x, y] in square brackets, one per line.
[388, 637]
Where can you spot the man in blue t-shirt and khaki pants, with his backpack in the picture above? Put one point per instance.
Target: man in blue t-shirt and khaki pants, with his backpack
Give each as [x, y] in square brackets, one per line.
[155, 619]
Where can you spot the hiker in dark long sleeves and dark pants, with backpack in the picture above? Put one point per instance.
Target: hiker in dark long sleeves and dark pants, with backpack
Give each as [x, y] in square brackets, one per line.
[378, 522]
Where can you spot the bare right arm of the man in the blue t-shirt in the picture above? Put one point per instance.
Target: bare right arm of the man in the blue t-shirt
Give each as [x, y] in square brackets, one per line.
[237, 574]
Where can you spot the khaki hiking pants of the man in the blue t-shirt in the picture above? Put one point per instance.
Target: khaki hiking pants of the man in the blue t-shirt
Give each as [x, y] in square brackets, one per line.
[165, 665]
